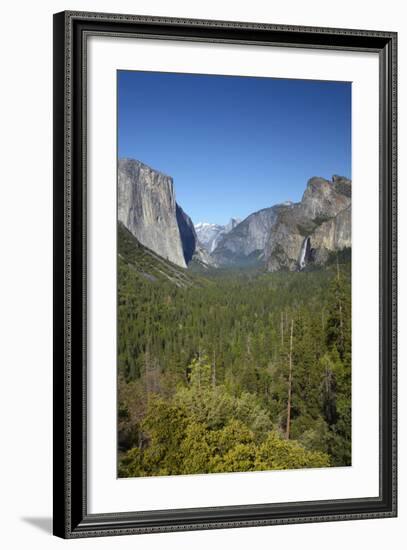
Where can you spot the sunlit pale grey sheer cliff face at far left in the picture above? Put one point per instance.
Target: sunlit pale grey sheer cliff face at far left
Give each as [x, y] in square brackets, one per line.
[147, 207]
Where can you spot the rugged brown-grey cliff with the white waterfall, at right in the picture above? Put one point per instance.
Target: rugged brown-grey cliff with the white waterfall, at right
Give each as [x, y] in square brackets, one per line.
[306, 232]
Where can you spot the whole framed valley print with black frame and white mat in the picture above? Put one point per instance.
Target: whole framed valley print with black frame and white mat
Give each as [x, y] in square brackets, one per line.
[224, 274]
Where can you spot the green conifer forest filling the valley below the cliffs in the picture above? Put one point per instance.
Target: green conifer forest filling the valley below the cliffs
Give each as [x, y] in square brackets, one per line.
[231, 370]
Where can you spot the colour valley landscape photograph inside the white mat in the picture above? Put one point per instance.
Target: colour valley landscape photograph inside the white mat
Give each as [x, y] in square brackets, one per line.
[234, 240]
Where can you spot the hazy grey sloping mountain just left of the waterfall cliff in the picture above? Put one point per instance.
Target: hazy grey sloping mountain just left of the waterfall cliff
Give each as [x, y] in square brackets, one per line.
[247, 240]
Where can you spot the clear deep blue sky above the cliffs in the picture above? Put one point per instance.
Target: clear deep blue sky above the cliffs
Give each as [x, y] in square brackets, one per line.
[234, 145]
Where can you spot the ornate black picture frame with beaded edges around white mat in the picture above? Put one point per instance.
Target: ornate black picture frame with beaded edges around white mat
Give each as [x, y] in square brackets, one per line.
[71, 517]
